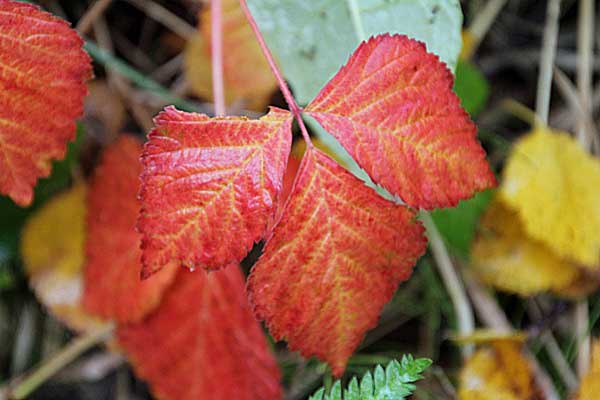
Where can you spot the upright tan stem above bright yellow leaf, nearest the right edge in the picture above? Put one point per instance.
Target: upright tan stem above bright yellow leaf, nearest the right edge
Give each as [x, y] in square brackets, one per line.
[585, 48]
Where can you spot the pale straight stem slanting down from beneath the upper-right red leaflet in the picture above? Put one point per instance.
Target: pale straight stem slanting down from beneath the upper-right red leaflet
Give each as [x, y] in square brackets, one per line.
[454, 285]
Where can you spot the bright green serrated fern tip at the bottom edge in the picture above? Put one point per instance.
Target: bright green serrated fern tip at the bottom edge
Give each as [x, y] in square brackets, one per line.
[393, 383]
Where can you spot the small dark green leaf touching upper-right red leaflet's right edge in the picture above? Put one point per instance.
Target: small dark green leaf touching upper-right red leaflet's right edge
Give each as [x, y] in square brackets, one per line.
[471, 86]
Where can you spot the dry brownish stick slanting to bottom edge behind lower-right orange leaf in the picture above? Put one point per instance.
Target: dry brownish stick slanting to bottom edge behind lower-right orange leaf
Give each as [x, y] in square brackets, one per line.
[492, 315]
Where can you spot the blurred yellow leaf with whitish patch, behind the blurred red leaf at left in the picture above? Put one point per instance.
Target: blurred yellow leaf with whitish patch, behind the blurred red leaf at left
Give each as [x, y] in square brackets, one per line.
[52, 248]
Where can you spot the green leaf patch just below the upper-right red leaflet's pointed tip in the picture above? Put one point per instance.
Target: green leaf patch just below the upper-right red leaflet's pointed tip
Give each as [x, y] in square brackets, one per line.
[457, 225]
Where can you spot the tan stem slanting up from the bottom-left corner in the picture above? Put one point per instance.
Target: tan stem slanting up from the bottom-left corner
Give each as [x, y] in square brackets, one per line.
[50, 367]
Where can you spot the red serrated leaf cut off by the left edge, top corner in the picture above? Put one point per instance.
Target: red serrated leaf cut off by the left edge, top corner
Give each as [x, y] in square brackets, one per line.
[43, 70]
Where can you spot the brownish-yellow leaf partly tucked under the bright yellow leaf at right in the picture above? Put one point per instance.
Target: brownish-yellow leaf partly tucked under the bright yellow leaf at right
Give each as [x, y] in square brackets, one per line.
[504, 257]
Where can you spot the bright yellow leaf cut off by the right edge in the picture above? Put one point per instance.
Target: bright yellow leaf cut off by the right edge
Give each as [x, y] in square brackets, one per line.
[554, 185]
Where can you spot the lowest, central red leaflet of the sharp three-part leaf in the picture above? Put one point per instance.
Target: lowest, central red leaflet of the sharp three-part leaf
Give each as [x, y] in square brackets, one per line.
[333, 261]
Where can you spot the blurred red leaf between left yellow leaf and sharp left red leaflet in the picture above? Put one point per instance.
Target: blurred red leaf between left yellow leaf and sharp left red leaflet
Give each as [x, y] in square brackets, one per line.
[113, 288]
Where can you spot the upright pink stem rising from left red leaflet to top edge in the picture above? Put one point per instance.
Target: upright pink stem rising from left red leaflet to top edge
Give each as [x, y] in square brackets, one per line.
[216, 45]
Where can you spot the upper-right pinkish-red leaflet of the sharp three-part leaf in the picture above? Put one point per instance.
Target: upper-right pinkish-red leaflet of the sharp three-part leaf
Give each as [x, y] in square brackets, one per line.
[392, 107]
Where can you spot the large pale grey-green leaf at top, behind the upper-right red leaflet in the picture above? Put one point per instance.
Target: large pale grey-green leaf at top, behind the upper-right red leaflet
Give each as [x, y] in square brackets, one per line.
[313, 39]
